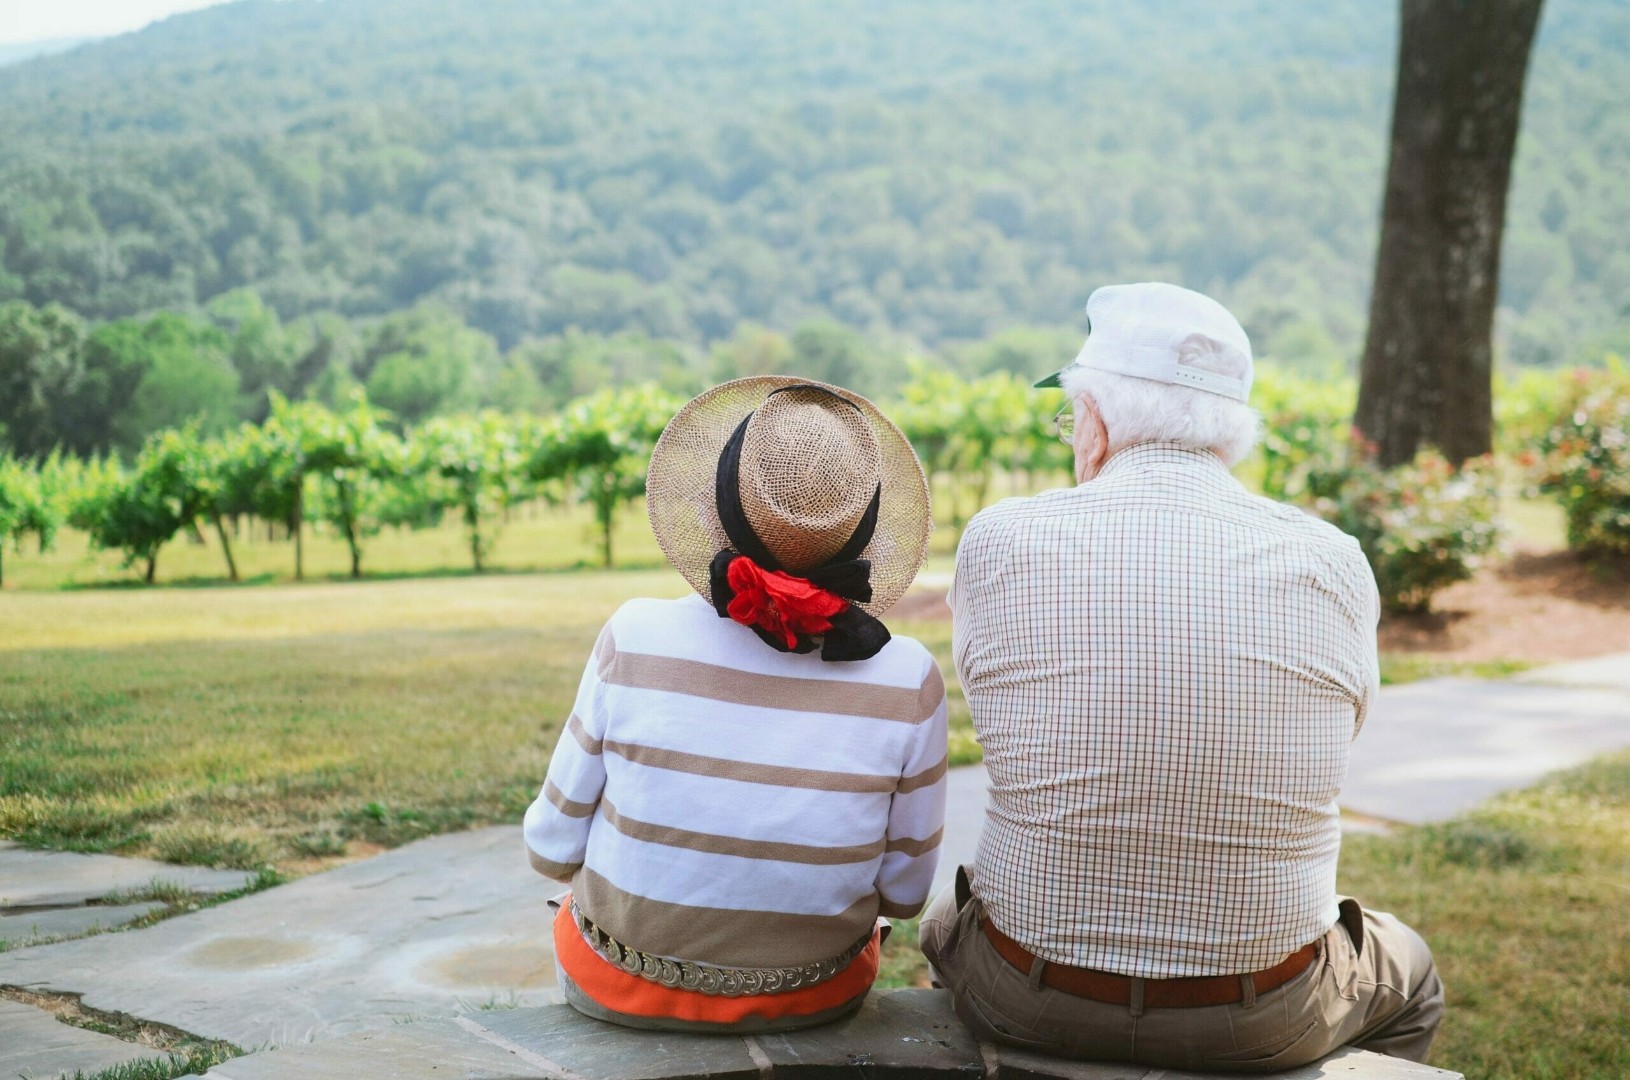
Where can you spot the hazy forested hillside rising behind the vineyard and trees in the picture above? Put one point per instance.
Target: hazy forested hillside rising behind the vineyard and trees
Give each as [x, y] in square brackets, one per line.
[919, 170]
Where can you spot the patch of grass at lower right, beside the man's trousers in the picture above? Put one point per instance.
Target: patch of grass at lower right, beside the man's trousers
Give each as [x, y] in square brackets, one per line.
[1525, 907]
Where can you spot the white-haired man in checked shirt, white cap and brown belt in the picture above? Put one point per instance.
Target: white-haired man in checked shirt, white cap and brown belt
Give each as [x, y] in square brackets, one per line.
[1166, 675]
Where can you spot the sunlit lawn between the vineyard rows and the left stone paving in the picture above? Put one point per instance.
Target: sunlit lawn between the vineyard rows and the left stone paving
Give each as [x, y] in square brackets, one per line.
[286, 726]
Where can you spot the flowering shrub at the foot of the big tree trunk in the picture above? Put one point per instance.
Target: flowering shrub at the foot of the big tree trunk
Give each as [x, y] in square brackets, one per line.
[1422, 527]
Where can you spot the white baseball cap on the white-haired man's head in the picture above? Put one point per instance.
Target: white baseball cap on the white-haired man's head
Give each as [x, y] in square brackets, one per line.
[1163, 333]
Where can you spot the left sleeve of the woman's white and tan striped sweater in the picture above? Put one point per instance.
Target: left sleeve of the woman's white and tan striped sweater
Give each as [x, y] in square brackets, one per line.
[557, 825]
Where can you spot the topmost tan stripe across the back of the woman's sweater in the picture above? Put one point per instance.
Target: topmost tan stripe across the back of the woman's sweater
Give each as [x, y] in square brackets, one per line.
[674, 675]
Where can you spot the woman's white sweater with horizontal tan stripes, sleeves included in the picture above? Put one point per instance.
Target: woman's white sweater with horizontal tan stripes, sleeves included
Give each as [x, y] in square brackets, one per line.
[720, 802]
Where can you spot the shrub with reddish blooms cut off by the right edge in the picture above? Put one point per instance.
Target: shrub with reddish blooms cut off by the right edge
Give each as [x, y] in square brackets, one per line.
[1585, 460]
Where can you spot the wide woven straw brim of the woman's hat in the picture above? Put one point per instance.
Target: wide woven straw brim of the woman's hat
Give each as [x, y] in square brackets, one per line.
[681, 488]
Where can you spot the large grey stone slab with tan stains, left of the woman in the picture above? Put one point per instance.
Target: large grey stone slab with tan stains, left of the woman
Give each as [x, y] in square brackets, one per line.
[443, 926]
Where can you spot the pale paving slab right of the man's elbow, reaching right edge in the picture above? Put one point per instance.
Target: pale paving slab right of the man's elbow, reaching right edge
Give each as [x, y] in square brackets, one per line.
[1437, 749]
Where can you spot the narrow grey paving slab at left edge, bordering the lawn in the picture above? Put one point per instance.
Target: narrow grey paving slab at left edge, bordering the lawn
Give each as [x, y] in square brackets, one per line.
[32, 879]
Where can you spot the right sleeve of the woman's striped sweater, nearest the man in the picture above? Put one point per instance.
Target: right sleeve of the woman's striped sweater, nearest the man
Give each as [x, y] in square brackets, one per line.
[917, 815]
